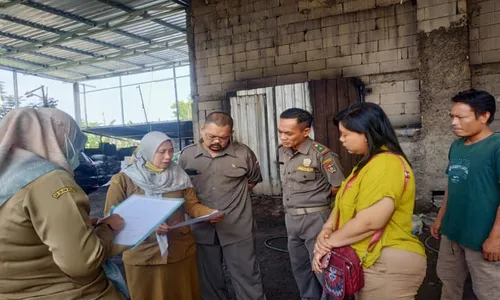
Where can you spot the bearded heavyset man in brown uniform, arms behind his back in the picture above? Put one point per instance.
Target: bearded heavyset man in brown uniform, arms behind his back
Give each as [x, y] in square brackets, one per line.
[223, 172]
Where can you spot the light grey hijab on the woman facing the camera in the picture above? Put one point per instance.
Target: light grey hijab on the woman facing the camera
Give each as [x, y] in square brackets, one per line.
[154, 183]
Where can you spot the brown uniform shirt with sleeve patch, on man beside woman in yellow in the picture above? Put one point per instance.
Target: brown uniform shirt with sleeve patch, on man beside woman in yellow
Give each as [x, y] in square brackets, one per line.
[308, 174]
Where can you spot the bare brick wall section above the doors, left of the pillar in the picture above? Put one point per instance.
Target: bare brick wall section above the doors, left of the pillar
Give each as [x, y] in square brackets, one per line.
[251, 44]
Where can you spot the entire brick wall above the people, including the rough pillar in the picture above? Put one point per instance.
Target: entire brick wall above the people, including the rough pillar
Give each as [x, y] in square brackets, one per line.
[413, 58]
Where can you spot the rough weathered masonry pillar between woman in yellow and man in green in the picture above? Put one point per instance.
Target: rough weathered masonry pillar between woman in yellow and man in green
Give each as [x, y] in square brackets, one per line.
[444, 70]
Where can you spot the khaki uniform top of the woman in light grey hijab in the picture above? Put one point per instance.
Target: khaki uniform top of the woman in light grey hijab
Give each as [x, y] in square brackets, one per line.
[181, 243]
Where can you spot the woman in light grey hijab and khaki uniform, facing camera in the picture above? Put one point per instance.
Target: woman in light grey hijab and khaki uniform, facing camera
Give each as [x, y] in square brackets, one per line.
[150, 275]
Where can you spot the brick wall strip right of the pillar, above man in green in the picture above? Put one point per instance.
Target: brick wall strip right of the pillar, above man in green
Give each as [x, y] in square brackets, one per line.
[485, 47]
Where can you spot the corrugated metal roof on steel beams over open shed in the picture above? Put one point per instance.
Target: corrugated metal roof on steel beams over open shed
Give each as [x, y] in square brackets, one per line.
[74, 40]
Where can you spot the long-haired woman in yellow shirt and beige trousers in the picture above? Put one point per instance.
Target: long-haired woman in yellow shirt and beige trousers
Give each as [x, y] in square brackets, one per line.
[378, 196]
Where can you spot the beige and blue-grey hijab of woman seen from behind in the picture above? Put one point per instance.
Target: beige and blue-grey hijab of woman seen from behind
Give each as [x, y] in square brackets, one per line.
[34, 142]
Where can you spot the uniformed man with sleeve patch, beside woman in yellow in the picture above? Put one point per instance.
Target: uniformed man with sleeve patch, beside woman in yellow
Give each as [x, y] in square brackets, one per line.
[310, 175]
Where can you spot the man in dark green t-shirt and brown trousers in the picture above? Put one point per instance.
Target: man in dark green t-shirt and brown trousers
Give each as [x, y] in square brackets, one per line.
[469, 219]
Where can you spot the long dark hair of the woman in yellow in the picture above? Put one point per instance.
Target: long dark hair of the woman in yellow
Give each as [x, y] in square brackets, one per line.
[369, 119]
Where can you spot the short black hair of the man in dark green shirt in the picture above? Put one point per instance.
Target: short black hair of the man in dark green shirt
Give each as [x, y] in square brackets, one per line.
[481, 102]
